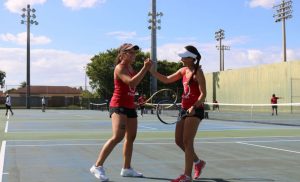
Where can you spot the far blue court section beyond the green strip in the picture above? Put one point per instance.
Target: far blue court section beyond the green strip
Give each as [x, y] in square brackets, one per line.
[84, 121]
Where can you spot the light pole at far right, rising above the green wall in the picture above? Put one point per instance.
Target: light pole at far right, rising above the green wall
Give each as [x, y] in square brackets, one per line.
[283, 12]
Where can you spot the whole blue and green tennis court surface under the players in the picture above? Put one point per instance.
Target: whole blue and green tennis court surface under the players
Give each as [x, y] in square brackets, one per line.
[61, 145]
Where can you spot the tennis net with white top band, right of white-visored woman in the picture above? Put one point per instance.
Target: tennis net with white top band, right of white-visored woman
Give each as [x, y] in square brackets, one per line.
[287, 114]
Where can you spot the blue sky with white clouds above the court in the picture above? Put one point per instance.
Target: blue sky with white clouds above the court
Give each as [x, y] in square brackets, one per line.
[70, 32]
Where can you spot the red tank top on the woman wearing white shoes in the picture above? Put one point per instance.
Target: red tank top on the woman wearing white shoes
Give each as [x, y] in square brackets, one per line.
[123, 95]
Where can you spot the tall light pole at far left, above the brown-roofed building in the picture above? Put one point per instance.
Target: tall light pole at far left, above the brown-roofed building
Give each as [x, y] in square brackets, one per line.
[28, 19]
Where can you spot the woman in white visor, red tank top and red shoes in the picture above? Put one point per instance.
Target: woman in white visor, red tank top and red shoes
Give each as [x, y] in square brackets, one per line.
[193, 97]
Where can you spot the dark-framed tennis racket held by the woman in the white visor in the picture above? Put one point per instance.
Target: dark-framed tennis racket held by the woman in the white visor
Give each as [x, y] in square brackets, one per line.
[169, 112]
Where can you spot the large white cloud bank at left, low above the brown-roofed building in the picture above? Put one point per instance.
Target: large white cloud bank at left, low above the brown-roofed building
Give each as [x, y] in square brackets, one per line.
[48, 66]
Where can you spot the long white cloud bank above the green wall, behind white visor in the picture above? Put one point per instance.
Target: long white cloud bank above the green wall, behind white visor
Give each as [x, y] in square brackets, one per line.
[234, 58]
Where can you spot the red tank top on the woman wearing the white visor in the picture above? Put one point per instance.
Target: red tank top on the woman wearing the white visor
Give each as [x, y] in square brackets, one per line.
[190, 93]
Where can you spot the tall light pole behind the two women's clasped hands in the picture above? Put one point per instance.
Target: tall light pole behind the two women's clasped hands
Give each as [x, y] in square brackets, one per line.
[154, 20]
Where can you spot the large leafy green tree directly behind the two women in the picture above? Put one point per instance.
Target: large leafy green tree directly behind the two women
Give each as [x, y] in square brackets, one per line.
[100, 72]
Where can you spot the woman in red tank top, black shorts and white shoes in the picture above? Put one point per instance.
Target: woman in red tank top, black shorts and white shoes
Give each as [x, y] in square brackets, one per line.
[122, 111]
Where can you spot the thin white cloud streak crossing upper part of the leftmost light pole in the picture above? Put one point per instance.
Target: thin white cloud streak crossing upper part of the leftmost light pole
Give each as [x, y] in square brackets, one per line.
[21, 39]
